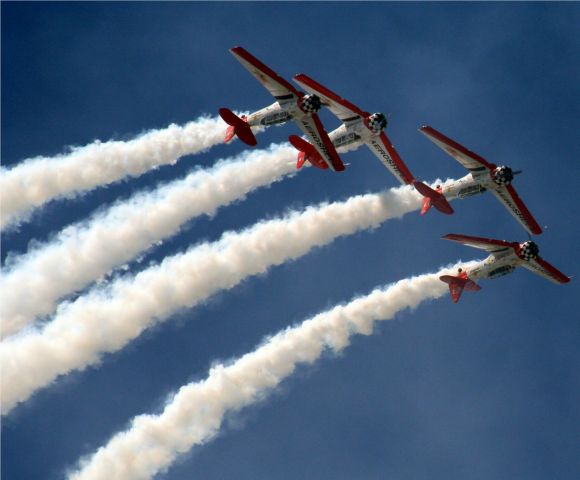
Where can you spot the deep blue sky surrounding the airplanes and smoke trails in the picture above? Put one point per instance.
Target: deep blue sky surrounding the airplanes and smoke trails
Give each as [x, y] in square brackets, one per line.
[486, 388]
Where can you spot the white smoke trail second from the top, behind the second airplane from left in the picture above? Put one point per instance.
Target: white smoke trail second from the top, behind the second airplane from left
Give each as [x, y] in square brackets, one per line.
[84, 252]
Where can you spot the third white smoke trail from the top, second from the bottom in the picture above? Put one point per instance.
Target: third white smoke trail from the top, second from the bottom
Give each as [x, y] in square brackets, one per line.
[106, 319]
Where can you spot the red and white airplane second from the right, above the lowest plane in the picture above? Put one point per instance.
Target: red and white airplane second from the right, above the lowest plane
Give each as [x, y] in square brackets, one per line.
[483, 176]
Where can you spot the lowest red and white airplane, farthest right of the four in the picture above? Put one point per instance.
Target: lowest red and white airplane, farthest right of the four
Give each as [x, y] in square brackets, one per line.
[504, 258]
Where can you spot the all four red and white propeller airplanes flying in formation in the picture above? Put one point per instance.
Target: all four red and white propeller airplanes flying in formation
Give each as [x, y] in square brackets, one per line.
[360, 127]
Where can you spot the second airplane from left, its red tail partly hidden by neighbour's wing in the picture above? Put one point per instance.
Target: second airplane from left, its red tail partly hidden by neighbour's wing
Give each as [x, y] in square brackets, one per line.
[357, 127]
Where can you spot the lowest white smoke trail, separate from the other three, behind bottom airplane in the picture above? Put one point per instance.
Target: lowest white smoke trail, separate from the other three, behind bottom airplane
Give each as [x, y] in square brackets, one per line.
[195, 413]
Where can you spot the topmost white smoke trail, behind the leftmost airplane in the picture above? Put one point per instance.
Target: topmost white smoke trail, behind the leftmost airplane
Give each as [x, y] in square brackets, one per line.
[34, 182]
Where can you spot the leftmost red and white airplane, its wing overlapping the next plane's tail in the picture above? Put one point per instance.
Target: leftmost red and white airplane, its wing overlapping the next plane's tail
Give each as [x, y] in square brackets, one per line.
[290, 104]
